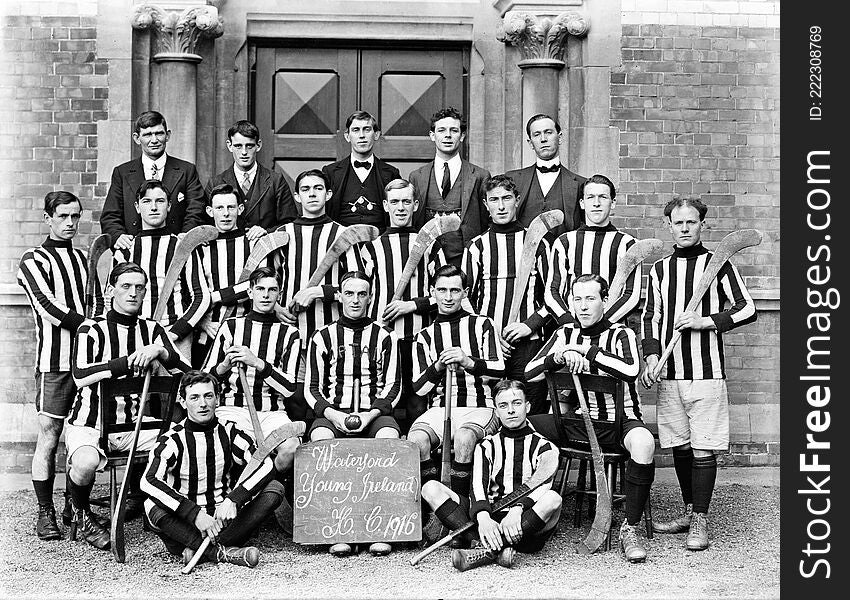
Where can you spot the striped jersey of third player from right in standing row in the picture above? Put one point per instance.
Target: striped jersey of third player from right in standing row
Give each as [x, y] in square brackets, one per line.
[491, 261]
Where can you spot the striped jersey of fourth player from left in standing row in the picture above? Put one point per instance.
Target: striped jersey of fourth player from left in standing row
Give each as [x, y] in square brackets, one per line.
[309, 241]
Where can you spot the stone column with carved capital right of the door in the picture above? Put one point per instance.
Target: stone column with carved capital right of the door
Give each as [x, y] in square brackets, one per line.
[542, 41]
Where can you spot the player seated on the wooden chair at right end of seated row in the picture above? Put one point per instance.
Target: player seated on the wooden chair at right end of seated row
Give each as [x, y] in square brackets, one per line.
[592, 344]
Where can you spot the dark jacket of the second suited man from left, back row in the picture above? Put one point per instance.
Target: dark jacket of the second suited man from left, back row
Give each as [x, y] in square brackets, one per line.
[270, 206]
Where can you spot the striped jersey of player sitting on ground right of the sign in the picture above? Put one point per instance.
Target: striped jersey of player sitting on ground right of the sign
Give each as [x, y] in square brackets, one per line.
[502, 463]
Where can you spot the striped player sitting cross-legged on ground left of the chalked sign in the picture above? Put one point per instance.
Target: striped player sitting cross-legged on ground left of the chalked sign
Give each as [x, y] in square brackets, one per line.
[189, 501]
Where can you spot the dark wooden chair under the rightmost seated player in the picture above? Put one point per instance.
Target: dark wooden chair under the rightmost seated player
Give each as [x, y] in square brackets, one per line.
[561, 386]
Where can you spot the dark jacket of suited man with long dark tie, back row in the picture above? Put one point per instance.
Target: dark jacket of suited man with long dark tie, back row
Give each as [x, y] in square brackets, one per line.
[474, 219]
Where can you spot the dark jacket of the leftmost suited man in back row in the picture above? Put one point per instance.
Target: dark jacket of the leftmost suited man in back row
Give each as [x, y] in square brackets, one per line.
[180, 178]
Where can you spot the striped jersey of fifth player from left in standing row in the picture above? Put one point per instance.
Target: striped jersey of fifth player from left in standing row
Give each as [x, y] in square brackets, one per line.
[383, 260]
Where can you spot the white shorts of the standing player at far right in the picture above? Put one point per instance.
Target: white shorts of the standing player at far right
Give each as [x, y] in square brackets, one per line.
[693, 411]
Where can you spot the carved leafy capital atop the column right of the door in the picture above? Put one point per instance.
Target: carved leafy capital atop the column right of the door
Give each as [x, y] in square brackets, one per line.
[540, 39]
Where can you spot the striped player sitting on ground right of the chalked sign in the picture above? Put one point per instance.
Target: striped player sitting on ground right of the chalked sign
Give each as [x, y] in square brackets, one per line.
[502, 463]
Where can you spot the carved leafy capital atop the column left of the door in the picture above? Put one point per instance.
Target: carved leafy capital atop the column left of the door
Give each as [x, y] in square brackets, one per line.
[177, 33]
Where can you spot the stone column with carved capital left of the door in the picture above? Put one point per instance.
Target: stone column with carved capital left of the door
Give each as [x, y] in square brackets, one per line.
[174, 78]
